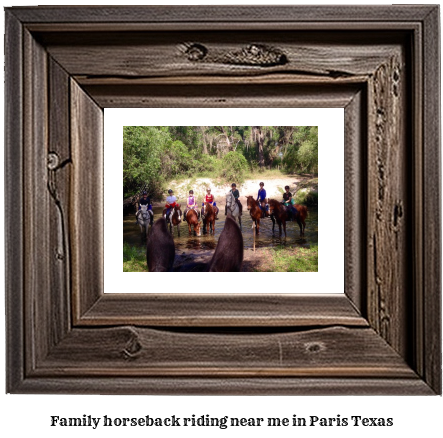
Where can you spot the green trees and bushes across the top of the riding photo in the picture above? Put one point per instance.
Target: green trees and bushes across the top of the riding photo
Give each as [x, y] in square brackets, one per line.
[155, 155]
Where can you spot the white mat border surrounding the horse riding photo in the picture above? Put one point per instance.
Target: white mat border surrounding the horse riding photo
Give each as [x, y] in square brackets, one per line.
[330, 122]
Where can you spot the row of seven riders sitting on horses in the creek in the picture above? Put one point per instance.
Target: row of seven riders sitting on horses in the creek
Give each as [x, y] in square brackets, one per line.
[171, 202]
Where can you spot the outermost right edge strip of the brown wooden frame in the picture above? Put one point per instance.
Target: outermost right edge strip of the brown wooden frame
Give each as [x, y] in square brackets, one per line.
[431, 318]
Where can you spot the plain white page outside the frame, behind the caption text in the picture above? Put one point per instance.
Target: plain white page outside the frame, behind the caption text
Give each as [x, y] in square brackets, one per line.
[29, 414]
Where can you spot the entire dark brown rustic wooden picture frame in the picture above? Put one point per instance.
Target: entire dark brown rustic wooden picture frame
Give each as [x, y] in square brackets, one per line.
[64, 65]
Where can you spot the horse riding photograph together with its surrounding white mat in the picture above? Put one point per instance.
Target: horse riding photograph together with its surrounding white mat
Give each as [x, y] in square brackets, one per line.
[157, 158]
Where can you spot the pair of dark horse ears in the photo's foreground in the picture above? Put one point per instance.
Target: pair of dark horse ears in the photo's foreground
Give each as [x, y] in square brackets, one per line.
[228, 256]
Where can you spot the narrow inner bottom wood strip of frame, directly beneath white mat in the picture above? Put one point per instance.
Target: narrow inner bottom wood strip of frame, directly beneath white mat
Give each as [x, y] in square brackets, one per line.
[175, 310]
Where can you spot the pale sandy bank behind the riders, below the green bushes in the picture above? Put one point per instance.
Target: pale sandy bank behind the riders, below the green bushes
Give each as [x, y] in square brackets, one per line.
[274, 187]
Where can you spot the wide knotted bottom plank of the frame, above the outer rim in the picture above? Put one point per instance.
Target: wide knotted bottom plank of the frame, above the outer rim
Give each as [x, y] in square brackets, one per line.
[129, 351]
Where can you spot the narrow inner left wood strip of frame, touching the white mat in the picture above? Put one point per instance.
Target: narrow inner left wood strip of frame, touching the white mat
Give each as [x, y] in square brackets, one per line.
[86, 224]
